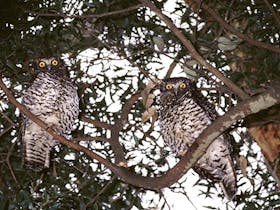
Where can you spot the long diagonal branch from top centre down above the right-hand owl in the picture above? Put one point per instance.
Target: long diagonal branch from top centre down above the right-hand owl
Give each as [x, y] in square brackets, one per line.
[193, 51]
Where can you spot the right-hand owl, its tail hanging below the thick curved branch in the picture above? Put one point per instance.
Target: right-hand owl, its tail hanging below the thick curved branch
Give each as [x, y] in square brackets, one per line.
[183, 114]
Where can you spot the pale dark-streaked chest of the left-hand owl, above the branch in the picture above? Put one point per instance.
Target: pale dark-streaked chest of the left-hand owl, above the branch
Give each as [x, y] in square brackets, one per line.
[53, 100]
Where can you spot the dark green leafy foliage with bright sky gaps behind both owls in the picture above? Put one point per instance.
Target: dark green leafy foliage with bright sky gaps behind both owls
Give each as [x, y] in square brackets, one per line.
[111, 57]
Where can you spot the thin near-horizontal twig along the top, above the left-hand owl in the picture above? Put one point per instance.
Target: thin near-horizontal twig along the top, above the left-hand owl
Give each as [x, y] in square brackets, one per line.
[87, 16]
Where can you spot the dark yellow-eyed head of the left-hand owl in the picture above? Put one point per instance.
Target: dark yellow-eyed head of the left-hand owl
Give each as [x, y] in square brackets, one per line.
[52, 65]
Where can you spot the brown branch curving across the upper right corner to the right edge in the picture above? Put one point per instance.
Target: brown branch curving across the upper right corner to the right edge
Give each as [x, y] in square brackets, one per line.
[236, 32]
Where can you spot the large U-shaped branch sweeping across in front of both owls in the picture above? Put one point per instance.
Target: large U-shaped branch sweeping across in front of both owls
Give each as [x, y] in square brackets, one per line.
[243, 109]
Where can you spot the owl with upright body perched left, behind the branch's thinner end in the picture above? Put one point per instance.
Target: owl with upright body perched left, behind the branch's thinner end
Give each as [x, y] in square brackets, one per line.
[53, 98]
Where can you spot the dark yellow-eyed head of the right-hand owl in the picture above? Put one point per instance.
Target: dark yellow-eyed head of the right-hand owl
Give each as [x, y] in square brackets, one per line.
[176, 87]
